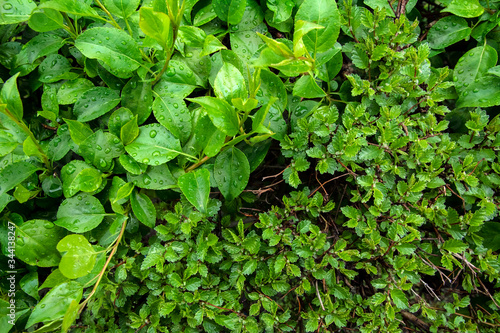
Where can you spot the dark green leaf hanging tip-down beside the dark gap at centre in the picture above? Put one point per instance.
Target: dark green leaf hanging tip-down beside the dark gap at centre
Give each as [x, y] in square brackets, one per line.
[231, 172]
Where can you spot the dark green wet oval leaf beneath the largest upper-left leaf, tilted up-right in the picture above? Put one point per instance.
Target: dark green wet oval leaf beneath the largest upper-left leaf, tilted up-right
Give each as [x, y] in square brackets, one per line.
[95, 102]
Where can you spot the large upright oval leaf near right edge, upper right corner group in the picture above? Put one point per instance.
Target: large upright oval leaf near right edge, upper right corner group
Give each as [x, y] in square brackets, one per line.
[473, 65]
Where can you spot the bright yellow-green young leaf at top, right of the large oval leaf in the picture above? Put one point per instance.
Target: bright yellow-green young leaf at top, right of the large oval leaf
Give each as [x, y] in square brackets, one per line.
[157, 26]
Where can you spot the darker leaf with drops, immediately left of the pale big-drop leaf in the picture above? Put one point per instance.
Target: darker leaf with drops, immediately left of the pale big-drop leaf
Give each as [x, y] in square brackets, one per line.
[100, 149]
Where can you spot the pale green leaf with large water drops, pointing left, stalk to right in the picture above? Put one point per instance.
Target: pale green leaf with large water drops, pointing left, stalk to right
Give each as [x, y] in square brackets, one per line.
[155, 145]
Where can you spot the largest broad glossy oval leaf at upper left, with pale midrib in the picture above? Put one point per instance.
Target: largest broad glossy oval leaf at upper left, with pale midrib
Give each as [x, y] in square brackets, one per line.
[113, 47]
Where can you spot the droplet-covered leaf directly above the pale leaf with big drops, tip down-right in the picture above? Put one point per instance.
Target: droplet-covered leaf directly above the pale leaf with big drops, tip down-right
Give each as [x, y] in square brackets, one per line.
[173, 113]
